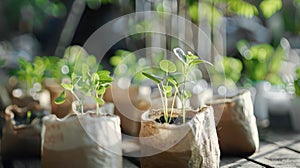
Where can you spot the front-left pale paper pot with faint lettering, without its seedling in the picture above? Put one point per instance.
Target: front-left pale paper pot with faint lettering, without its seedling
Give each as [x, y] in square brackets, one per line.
[84, 140]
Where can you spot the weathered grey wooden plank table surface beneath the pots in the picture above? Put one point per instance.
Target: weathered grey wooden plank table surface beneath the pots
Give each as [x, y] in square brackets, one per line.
[278, 149]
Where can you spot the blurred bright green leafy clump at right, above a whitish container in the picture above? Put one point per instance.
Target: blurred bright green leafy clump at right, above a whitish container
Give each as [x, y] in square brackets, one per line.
[262, 61]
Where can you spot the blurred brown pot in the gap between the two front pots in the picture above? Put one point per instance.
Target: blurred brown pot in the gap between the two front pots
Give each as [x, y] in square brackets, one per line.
[128, 106]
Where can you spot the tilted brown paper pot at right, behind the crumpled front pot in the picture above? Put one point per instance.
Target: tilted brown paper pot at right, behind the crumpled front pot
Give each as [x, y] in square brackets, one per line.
[236, 124]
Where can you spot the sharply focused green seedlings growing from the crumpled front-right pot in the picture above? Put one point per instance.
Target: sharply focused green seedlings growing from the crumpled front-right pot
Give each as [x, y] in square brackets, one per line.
[169, 85]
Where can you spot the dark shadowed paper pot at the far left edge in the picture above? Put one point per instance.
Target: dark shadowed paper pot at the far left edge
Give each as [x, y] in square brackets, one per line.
[20, 138]
